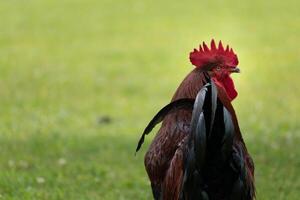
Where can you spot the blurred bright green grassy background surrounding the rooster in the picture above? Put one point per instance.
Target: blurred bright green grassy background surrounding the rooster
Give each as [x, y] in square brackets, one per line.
[79, 80]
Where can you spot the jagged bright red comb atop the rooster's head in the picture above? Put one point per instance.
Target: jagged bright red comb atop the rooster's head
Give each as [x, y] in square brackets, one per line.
[215, 55]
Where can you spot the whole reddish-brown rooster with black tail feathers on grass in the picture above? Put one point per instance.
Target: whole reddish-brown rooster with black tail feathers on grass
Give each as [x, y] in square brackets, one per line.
[199, 152]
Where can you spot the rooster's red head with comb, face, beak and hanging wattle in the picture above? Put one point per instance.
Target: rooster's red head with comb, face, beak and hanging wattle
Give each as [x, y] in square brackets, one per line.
[219, 63]
